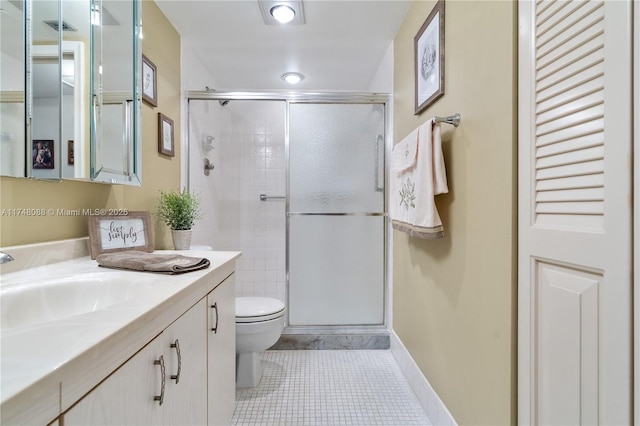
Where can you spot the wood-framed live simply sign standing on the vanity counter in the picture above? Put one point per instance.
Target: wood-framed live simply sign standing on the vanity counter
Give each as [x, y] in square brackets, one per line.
[111, 233]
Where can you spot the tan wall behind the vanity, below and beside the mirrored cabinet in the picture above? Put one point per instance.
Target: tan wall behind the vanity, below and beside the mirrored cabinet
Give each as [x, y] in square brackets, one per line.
[161, 44]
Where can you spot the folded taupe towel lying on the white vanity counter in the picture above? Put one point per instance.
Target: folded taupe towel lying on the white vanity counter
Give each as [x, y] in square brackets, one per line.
[152, 262]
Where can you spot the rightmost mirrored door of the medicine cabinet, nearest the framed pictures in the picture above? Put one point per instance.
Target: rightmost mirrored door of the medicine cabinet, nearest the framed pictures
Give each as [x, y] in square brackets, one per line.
[115, 112]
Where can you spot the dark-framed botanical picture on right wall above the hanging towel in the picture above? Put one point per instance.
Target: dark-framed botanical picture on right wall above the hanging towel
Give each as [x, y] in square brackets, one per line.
[429, 59]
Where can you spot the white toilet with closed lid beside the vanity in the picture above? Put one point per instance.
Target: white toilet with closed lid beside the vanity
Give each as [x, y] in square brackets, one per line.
[259, 324]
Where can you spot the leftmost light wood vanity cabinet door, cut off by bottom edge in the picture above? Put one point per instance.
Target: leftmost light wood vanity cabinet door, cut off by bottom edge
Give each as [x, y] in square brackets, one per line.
[127, 396]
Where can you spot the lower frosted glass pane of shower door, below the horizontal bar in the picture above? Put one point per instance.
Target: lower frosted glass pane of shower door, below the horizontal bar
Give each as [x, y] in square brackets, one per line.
[336, 270]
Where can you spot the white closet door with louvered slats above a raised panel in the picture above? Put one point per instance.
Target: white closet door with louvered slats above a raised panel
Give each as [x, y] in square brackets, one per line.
[574, 309]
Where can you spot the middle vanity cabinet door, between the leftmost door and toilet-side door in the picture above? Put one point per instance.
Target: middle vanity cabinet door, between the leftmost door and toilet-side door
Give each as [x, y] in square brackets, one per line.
[185, 349]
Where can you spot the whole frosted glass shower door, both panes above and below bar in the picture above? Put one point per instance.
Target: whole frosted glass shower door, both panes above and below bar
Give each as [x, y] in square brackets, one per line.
[336, 220]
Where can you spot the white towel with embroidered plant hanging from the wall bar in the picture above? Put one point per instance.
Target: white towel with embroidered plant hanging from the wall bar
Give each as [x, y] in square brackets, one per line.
[417, 175]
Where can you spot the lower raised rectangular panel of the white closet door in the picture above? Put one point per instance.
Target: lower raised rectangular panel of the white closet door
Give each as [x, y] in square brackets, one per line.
[567, 343]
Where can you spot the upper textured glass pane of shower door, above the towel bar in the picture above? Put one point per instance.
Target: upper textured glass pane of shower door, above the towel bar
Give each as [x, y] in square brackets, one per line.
[335, 151]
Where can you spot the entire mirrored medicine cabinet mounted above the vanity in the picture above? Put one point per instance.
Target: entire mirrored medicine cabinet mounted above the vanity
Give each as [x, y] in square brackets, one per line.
[69, 90]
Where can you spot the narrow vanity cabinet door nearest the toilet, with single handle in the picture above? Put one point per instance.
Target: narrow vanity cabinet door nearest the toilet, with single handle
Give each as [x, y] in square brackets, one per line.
[222, 352]
